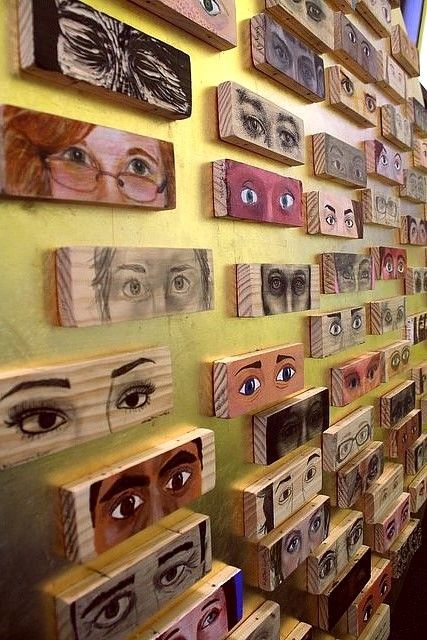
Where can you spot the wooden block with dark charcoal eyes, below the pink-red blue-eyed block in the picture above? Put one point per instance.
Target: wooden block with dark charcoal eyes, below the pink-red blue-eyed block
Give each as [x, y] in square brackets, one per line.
[269, 289]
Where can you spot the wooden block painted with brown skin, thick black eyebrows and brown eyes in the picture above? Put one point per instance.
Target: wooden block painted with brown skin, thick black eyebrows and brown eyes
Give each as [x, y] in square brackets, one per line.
[107, 507]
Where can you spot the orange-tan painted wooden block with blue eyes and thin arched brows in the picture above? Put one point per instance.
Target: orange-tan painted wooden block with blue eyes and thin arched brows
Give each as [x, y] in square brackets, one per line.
[249, 382]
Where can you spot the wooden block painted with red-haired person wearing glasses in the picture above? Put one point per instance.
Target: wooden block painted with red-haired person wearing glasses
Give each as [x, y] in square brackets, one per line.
[55, 158]
